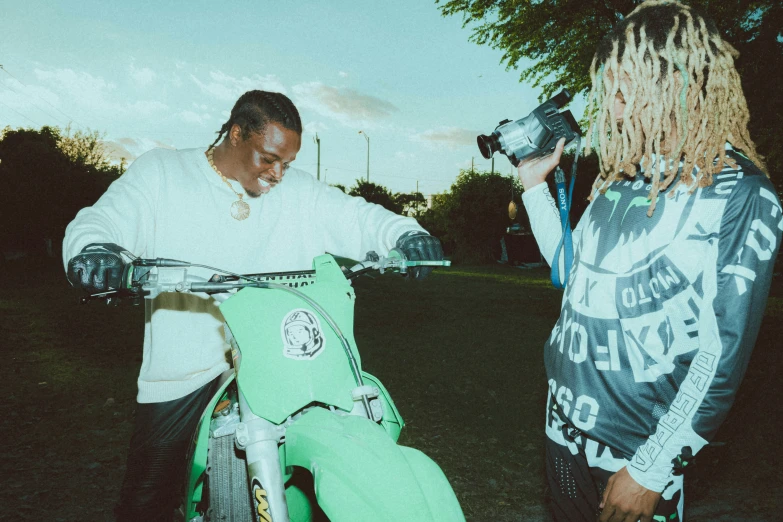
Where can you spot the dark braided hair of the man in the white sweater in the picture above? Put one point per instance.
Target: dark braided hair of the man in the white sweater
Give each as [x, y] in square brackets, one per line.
[255, 109]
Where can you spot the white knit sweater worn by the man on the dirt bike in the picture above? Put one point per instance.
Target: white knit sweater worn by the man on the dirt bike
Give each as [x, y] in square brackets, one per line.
[172, 204]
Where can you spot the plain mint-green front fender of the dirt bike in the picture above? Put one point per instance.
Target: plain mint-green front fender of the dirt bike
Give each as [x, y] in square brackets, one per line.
[360, 474]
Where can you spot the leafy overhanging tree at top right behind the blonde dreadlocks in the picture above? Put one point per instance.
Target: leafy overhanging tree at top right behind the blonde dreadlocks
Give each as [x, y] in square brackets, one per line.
[561, 36]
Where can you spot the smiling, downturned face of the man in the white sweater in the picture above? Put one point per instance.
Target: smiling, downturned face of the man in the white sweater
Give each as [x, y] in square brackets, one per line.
[260, 162]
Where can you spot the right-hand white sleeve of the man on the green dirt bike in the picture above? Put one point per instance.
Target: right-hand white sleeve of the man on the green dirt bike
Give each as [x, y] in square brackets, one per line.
[352, 227]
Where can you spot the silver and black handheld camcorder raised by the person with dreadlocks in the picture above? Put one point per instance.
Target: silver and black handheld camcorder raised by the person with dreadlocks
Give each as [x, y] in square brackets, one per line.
[534, 135]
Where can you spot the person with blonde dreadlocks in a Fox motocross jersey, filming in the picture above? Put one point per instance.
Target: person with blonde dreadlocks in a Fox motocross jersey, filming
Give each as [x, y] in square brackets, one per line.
[672, 267]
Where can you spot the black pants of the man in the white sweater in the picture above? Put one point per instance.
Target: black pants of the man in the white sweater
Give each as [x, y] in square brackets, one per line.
[155, 474]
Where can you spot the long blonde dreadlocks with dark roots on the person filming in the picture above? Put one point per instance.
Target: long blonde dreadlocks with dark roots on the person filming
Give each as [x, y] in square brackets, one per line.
[683, 99]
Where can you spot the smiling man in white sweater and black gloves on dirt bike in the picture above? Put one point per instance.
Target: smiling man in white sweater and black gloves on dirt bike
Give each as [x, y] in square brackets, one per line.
[236, 205]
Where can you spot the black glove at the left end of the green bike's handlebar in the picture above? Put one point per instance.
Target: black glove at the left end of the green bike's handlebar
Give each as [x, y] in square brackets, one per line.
[98, 267]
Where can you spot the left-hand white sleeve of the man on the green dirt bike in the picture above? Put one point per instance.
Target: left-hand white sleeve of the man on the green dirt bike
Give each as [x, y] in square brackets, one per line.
[123, 215]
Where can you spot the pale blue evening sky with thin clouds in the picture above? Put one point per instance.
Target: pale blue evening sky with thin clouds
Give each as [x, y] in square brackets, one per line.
[166, 73]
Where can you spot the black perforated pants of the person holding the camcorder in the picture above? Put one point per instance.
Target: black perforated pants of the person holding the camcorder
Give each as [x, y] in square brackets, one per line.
[576, 487]
